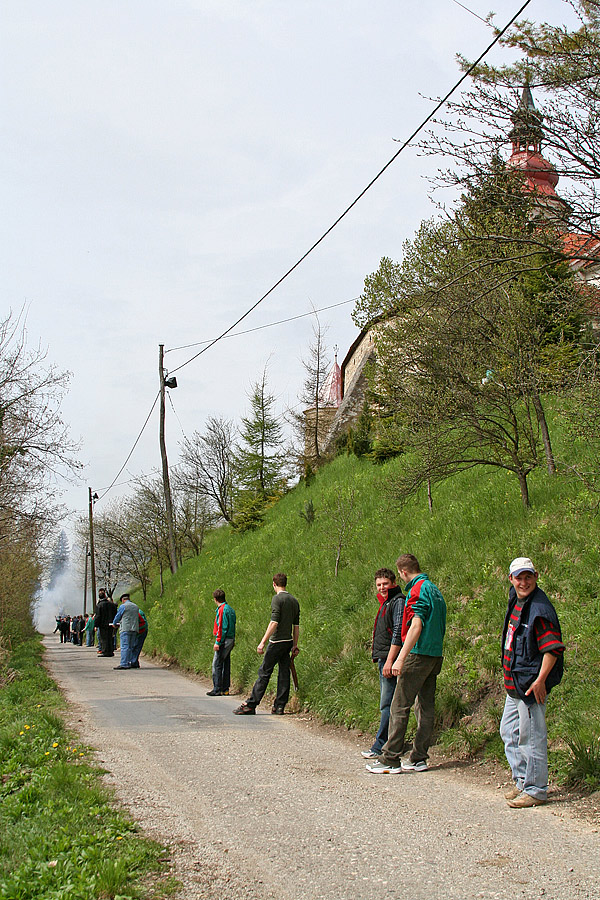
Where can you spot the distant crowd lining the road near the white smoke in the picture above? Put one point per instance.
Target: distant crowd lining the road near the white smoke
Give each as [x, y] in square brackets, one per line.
[126, 620]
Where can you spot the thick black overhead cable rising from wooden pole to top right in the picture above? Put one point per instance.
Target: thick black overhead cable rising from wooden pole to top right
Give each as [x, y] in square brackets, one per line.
[351, 206]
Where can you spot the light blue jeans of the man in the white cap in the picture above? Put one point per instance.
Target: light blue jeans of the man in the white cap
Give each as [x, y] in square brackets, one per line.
[523, 730]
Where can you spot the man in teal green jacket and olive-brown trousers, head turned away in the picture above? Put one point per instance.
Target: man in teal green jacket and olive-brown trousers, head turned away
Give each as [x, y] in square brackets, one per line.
[416, 665]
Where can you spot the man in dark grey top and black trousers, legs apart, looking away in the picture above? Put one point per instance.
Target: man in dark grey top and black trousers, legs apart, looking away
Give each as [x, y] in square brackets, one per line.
[281, 638]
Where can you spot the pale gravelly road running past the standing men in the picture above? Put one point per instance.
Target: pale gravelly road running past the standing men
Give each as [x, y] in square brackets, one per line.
[267, 807]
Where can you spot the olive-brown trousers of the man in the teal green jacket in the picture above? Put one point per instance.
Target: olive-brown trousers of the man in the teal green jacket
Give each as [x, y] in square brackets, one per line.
[416, 682]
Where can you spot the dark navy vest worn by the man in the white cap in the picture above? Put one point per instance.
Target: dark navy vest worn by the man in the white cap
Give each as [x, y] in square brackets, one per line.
[526, 656]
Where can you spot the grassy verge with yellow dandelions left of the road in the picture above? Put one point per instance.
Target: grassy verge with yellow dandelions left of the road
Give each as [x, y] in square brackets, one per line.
[62, 835]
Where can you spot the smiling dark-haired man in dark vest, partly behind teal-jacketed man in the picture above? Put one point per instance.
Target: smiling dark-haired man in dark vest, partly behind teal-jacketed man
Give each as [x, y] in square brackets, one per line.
[386, 633]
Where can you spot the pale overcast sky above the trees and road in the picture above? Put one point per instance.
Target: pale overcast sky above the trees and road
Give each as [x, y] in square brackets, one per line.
[164, 163]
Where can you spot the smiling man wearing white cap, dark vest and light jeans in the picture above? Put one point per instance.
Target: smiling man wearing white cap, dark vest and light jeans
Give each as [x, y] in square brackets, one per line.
[532, 660]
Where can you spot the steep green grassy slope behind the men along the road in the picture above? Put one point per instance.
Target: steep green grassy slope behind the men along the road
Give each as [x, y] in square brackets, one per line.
[477, 526]
